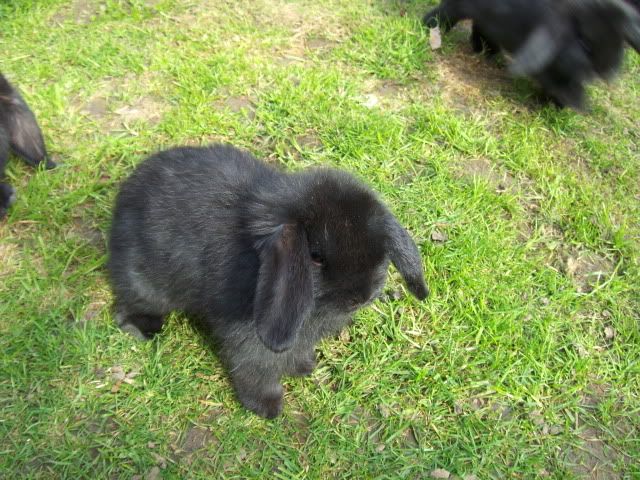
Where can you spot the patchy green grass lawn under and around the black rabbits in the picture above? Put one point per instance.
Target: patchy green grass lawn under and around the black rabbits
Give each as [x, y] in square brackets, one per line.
[524, 362]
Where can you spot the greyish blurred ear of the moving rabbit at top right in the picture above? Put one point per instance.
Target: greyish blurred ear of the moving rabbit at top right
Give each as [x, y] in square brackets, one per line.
[538, 51]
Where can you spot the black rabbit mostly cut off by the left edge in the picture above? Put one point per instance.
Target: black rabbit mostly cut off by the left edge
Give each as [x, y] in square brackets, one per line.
[20, 133]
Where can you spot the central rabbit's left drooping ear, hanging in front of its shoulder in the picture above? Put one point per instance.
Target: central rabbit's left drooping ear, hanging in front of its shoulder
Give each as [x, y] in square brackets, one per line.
[284, 295]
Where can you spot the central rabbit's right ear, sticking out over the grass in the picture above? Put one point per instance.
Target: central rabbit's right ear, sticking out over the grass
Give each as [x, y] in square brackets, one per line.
[404, 254]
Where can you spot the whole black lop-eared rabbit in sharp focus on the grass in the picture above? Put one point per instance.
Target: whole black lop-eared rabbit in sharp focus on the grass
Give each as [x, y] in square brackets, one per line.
[272, 262]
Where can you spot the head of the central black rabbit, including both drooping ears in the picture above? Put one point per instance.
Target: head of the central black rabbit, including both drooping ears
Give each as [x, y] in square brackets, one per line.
[326, 247]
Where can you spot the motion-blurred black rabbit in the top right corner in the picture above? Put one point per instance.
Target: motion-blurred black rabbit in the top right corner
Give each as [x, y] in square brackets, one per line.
[561, 44]
